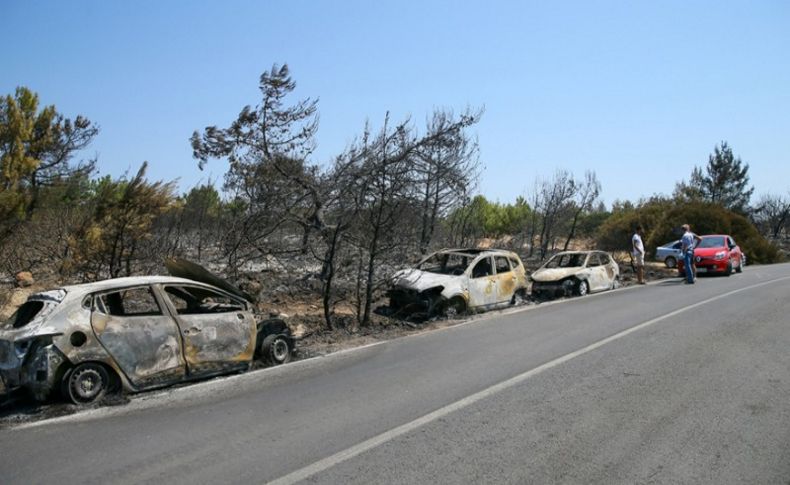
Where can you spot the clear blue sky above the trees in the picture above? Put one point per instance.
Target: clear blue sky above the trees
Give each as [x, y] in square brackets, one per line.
[639, 92]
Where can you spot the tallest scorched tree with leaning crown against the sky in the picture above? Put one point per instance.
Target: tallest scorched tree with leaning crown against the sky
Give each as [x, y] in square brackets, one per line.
[267, 148]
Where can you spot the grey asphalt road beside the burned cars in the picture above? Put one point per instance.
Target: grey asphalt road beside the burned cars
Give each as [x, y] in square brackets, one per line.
[665, 383]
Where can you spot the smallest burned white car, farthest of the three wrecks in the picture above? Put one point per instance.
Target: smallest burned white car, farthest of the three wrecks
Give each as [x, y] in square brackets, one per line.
[575, 273]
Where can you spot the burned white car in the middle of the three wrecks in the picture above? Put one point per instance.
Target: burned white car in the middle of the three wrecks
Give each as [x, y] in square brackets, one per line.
[452, 281]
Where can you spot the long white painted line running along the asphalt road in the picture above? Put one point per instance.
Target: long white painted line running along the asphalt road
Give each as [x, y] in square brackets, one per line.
[330, 461]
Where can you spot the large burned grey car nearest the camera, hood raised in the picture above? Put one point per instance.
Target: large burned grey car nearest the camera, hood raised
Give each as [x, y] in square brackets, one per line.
[132, 334]
